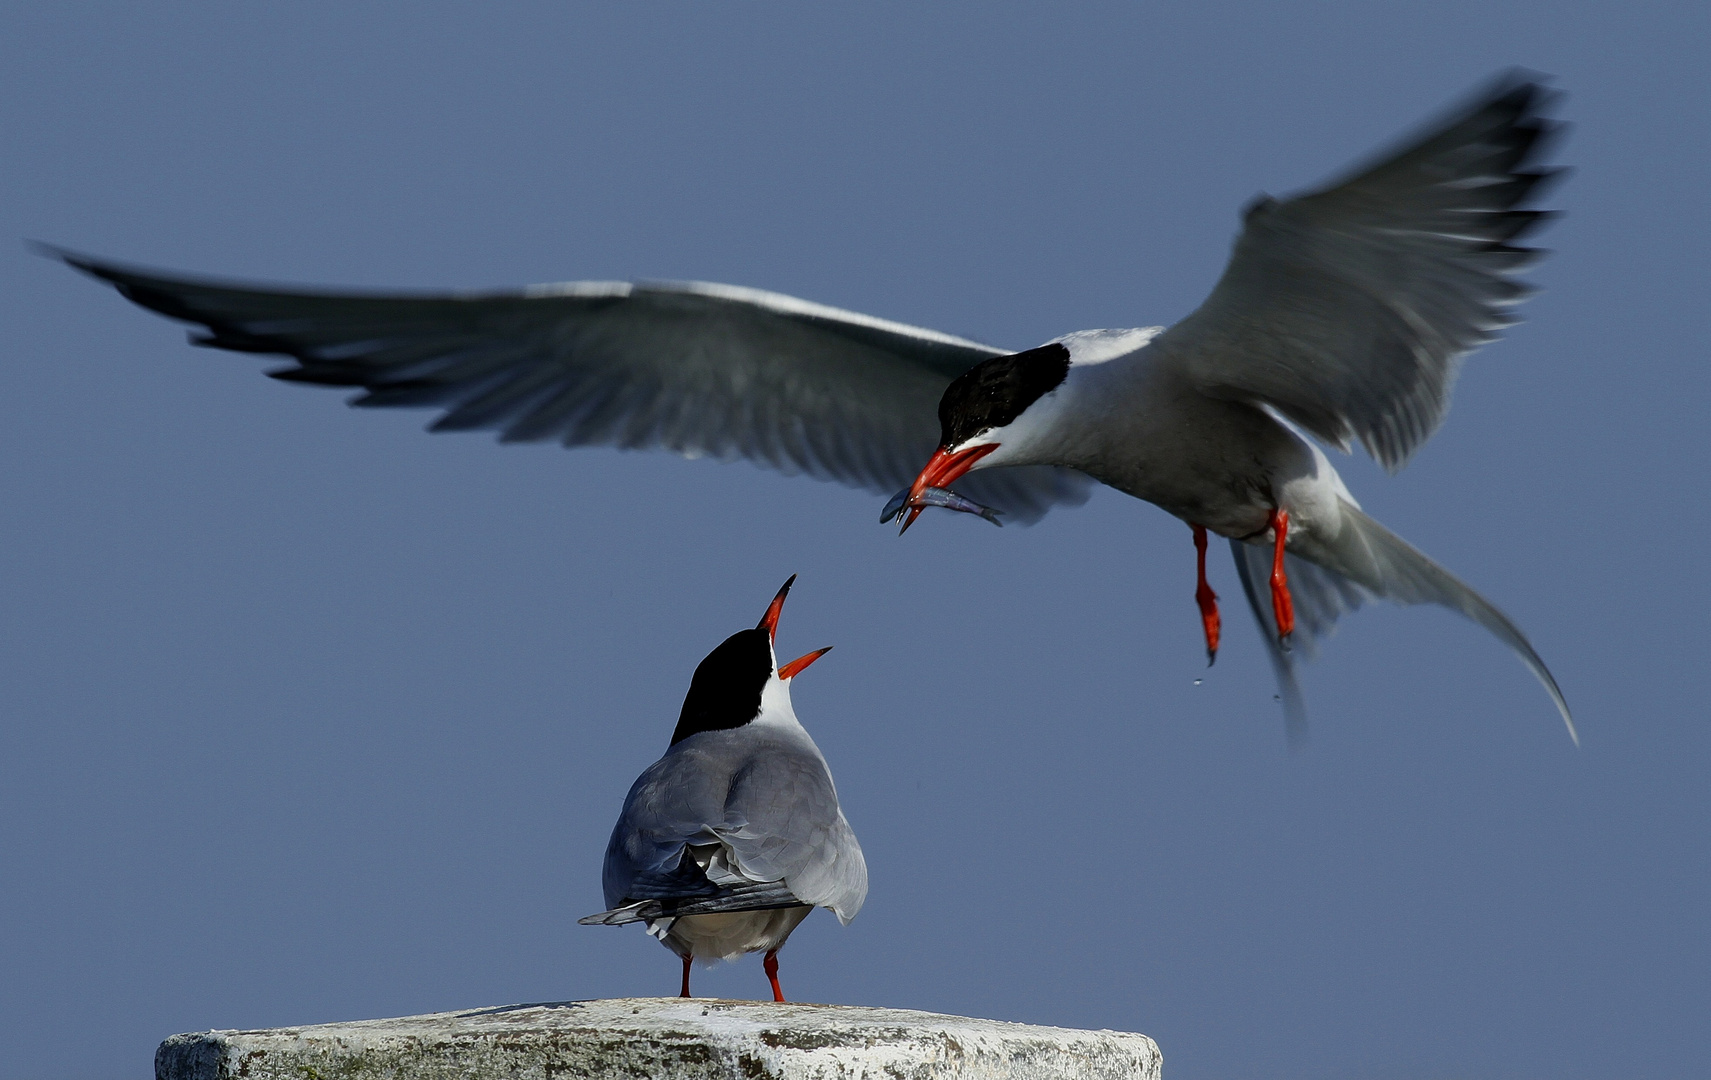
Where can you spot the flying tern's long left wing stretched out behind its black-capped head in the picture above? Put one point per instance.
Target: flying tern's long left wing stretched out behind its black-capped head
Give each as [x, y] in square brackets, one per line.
[687, 367]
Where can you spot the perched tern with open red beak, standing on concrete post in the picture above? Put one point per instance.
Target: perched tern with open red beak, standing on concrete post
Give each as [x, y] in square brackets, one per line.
[737, 834]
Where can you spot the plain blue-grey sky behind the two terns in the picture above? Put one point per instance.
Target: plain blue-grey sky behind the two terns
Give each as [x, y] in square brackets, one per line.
[311, 716]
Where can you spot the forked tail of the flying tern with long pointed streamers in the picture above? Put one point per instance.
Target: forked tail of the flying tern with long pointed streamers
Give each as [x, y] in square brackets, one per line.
[1365, 562]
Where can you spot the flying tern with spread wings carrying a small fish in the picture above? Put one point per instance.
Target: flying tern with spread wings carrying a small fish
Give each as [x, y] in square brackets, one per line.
[1342, 316]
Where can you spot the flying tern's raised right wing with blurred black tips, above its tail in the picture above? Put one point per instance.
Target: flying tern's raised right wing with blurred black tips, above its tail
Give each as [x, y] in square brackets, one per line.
[1349, 309]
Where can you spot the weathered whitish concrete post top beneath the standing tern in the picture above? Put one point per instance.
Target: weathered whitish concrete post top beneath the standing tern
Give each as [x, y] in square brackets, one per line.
[663, 1040]
